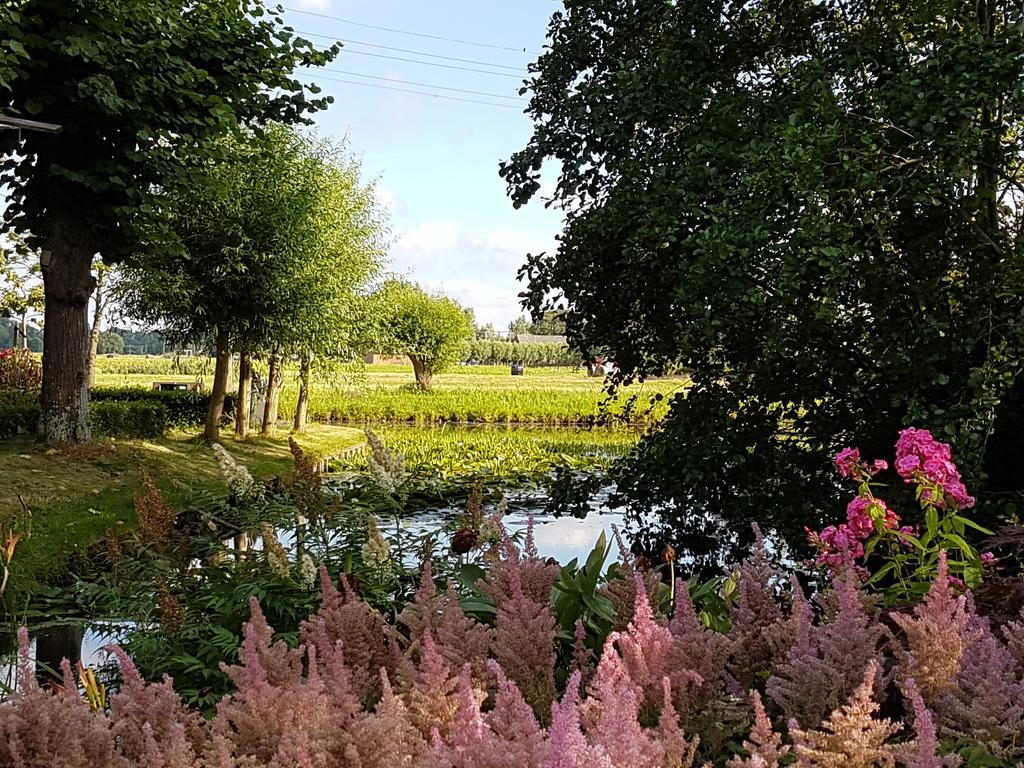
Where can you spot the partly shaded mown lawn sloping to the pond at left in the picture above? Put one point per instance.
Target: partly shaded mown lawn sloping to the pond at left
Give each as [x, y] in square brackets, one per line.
[64, 501]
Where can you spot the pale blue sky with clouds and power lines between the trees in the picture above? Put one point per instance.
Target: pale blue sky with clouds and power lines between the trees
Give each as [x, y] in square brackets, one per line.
[435, 161]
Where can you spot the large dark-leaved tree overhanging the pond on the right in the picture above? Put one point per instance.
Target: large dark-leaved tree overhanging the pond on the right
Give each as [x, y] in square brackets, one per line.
[814, 206]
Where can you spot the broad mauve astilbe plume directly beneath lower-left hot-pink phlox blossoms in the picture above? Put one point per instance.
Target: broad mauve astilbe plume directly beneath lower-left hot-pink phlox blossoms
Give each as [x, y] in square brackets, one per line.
[827, 663]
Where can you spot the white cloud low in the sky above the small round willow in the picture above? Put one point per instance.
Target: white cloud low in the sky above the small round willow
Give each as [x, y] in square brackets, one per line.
[477, 269]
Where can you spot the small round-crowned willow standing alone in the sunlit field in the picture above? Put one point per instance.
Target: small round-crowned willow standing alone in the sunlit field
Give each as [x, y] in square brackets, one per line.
[431, 329]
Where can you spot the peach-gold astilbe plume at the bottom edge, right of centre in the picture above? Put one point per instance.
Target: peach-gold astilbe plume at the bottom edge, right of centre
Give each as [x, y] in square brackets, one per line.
[851, 738]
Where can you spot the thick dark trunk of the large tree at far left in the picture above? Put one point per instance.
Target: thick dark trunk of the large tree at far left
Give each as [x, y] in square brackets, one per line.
[68, 285]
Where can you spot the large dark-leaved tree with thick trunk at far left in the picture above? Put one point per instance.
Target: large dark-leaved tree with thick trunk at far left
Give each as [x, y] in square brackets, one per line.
[140, 89]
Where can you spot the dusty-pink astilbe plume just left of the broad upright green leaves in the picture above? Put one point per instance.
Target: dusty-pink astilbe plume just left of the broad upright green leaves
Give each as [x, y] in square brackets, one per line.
[525, 646]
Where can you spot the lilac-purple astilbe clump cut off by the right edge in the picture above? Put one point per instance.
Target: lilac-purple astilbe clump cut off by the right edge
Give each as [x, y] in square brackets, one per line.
[986, 702]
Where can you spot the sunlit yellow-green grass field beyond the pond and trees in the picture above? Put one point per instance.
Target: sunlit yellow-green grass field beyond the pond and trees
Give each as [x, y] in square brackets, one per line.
[474, 395]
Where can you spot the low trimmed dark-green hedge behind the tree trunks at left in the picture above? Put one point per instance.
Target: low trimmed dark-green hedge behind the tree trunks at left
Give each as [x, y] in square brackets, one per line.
[117, 413]
